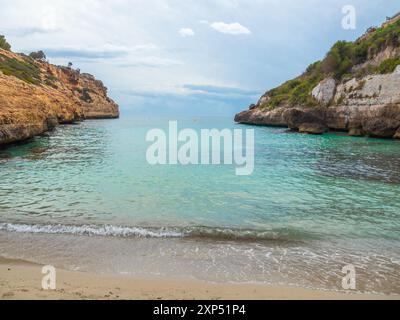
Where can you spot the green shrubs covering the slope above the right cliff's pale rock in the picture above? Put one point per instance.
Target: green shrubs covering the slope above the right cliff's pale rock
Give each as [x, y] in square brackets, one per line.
[339, 63]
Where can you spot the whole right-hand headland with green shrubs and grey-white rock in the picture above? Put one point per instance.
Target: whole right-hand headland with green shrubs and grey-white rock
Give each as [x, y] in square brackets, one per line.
[356, 89]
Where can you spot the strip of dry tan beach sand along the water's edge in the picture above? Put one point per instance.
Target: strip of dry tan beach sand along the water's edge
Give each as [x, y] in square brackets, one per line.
[21, 280]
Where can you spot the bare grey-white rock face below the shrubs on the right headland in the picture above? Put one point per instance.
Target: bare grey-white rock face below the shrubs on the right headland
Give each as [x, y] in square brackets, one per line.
[367, 106]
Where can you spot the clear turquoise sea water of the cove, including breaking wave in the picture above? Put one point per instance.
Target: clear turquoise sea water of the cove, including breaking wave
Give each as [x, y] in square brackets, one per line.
[320, 202]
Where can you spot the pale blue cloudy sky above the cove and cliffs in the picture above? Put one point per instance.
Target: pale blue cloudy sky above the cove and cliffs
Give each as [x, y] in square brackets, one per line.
[186, 57]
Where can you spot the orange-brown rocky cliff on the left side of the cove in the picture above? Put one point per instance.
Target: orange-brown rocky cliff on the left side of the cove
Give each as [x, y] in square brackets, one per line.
[36, 96]
